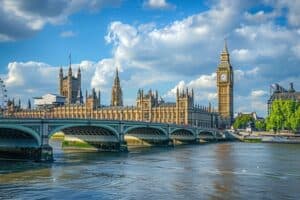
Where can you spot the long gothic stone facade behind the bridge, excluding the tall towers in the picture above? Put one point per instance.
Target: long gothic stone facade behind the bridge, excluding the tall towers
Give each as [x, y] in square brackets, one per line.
[148, 108]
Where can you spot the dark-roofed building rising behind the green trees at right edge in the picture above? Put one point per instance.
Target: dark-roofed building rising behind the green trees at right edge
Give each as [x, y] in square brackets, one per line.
[279, 92]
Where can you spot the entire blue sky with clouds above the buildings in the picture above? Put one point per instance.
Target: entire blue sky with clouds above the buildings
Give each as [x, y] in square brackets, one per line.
[156, 44]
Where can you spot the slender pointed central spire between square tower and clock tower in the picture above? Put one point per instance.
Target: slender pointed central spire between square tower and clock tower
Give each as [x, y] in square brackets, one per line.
[116, 93]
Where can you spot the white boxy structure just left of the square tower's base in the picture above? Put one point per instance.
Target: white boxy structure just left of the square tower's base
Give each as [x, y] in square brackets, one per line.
[49, 100]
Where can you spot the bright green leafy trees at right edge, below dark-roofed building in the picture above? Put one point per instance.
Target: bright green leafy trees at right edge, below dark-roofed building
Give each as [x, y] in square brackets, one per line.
[285, 115]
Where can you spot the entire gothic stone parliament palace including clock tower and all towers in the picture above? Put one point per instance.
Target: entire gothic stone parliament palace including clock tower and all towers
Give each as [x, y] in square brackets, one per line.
[149, 107]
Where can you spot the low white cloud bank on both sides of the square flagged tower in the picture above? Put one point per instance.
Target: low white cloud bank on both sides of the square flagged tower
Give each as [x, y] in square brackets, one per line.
[25, 79]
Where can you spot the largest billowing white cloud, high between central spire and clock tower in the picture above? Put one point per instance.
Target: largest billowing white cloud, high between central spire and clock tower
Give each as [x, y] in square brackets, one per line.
[165, 49]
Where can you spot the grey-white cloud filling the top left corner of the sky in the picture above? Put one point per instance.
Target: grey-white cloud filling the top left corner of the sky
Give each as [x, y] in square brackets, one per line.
[22, 19]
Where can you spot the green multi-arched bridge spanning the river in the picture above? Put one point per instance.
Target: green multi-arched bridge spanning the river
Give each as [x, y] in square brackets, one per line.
[31, 136]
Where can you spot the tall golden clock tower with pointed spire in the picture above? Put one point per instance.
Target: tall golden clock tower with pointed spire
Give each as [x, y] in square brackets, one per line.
[225, 86]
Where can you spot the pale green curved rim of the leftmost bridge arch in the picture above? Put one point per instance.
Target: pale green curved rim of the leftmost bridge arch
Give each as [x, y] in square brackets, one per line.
[22, 130]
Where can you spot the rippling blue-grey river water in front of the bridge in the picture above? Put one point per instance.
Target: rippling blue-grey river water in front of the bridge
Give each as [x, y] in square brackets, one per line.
[210, 171]
